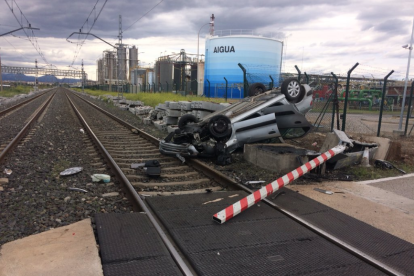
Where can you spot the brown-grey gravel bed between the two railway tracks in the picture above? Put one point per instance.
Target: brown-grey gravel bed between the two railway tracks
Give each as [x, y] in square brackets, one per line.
[36, 198]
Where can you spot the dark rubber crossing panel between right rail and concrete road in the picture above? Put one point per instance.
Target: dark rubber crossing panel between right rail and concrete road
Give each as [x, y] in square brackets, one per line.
[381, 245]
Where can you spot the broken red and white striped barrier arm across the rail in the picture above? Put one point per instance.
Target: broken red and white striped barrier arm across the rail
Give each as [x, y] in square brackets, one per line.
[250, 200]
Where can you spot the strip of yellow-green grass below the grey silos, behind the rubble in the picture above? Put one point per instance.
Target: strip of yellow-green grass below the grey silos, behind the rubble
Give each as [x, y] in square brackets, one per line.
[152, 99]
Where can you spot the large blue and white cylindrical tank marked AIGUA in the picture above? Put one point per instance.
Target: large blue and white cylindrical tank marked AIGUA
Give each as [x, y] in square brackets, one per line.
[260, 56]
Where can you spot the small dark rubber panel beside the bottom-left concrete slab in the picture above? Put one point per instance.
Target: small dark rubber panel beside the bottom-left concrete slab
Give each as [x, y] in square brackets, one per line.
[129, 245]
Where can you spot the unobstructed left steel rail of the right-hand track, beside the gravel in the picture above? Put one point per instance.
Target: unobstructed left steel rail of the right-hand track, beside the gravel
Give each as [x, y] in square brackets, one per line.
[133, 193]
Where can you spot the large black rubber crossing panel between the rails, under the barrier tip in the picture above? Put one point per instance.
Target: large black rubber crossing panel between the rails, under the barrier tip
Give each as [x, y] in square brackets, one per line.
[261, 241]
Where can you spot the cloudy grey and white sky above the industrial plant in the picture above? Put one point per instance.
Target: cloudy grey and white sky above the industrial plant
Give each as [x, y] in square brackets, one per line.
[320, 36]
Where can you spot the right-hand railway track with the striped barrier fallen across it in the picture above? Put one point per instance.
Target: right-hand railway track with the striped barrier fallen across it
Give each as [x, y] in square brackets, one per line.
[123, 145]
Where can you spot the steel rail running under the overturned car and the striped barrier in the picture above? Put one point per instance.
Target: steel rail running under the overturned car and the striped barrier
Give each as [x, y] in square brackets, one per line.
[226, 181]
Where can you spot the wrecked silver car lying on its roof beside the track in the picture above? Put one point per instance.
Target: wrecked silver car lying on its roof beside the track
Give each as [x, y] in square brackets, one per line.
[272, 114]
